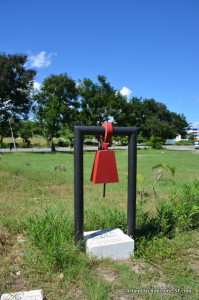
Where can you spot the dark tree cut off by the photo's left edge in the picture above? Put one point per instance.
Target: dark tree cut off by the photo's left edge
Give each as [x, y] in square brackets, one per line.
[16, 83]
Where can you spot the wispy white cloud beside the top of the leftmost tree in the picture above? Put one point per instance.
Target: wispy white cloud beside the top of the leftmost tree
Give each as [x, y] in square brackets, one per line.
[41, 59]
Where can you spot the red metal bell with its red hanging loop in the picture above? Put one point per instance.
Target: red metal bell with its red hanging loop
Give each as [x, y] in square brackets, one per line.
[104, 167]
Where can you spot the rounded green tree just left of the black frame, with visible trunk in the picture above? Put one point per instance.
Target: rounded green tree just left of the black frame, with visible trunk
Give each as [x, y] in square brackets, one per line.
[56, 104]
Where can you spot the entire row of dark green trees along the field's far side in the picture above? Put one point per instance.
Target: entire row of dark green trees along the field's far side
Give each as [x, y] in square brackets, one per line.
[61, 104]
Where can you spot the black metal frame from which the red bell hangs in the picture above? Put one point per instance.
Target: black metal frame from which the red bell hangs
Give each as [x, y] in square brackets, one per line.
[79, 132]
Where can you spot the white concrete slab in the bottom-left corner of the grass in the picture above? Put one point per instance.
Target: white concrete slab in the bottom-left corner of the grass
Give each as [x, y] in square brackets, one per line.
[29, 295]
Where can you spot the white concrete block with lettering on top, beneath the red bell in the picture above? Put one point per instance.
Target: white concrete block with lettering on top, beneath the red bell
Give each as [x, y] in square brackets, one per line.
[109, 243]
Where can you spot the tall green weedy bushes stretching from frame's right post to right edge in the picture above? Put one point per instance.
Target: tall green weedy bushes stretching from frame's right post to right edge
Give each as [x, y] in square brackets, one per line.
[173, 215]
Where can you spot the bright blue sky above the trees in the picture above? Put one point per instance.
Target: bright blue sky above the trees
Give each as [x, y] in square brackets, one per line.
[150, 47]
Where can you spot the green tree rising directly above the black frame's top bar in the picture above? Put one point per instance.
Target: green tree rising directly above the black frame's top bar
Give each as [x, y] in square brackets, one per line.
[99, 102]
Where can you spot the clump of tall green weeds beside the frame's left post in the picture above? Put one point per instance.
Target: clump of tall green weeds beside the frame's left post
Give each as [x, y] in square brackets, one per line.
[52, 233]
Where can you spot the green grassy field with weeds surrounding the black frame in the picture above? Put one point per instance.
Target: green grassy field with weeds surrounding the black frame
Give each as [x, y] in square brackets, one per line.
[36, 227]
